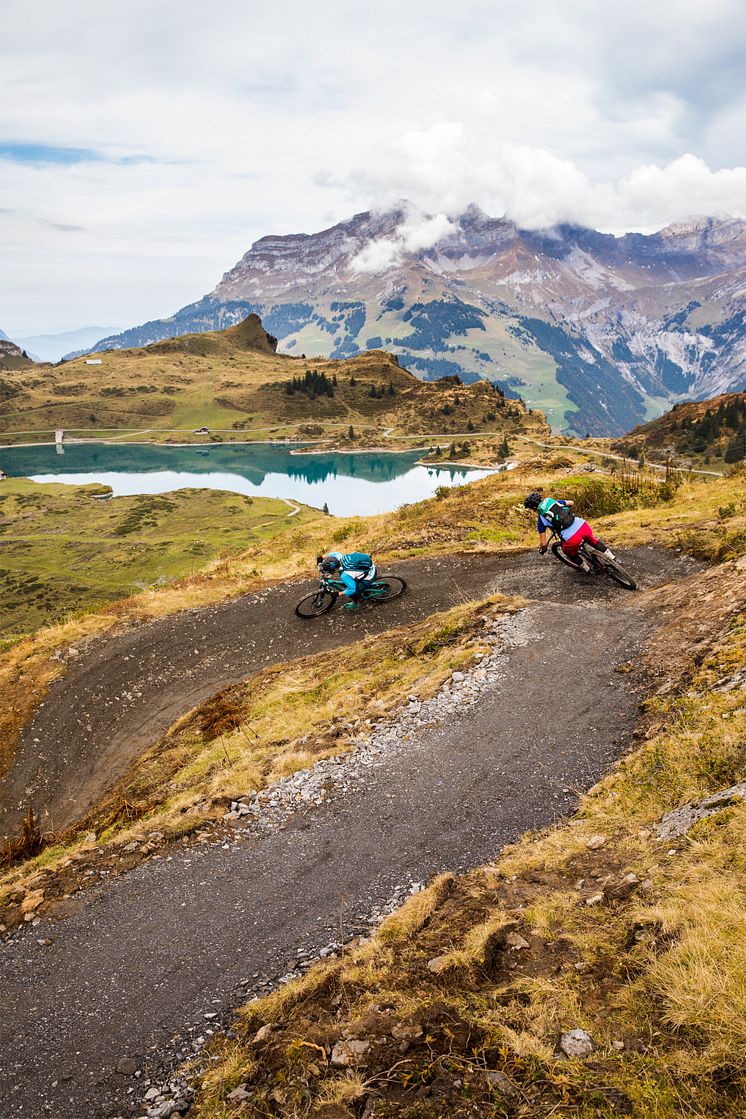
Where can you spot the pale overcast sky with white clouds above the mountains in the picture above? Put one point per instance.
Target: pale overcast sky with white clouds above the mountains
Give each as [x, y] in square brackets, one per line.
[146, 145]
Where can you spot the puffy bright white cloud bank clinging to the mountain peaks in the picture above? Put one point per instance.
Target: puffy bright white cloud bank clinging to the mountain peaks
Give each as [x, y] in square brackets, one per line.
[441, 174]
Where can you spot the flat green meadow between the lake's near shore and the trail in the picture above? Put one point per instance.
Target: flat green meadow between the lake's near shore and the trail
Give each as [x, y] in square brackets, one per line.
[65, 551]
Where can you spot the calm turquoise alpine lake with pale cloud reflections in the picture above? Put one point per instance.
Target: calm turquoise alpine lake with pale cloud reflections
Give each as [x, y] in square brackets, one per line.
[362, 484]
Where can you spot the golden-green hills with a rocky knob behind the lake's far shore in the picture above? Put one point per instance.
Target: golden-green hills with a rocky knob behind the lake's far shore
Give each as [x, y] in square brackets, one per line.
[235, 384]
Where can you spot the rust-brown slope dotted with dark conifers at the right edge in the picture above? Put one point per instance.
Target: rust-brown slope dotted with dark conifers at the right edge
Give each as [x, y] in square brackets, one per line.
[703, 434]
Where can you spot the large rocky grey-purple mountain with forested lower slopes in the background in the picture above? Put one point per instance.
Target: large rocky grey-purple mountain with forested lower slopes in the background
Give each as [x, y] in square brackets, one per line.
[602, 333]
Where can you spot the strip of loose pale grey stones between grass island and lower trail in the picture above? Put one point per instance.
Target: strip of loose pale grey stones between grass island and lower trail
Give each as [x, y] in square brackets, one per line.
[270, 810]
